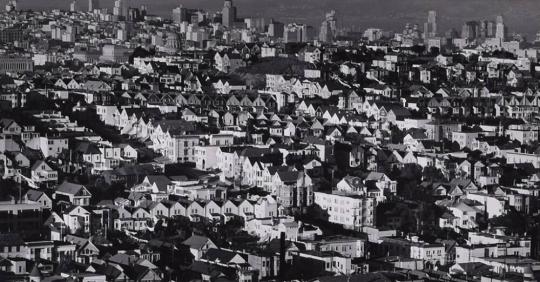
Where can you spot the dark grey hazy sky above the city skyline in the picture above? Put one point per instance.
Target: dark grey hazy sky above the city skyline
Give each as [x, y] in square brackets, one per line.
[521, 16]
